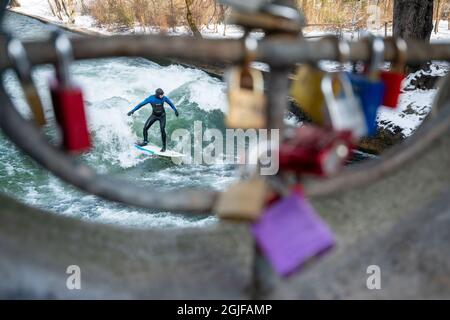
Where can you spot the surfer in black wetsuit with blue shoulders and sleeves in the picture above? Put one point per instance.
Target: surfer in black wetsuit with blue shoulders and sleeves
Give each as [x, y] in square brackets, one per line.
[159, 114]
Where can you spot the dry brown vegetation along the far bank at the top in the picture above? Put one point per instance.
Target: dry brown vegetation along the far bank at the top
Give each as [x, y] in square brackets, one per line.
[196, 15]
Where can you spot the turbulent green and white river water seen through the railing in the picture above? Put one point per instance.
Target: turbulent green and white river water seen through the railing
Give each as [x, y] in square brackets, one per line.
[111, 87]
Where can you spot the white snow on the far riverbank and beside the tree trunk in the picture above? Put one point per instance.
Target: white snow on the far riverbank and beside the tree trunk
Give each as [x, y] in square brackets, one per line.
[414, 105]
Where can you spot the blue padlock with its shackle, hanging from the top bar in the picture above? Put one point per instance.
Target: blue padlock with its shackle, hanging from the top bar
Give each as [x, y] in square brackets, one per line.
[369, 88]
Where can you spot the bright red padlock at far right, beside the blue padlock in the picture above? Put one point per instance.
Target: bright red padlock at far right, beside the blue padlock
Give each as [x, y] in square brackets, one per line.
[393, 79]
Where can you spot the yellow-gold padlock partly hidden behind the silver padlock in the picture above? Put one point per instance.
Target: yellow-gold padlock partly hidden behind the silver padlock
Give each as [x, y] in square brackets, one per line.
[307, 93]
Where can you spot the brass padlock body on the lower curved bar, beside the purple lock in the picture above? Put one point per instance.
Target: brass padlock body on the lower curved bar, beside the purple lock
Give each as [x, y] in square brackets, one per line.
[243, 200]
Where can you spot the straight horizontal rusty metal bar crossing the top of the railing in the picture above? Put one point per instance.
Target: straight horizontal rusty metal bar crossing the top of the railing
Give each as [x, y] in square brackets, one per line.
[279, 52]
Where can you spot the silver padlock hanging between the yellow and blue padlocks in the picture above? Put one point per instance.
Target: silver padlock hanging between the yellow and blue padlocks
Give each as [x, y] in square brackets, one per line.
[345, 110]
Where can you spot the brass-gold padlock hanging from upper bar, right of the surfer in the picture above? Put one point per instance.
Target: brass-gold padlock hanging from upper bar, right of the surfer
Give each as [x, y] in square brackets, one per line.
[247, 107]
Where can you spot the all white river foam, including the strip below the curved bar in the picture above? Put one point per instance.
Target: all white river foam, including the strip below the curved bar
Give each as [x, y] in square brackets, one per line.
[111, 88]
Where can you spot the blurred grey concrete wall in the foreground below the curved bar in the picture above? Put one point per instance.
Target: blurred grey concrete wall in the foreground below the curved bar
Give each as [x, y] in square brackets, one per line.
[400, 223]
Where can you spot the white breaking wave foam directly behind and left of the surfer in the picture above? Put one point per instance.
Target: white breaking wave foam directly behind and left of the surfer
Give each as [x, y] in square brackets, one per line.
[113, 86]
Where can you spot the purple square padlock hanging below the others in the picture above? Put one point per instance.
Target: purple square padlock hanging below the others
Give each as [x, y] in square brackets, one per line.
[290, 232]
